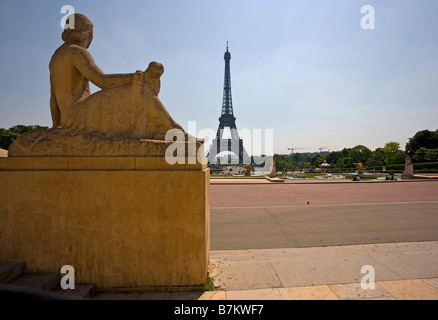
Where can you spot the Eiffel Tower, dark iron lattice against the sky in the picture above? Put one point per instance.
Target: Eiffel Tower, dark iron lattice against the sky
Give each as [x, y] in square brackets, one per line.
[227, 120]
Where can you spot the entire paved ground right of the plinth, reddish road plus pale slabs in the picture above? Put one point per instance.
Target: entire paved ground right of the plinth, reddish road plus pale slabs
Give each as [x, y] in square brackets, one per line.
[309, 239]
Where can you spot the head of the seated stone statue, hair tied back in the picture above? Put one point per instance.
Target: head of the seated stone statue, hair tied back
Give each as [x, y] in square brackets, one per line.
[82, 34]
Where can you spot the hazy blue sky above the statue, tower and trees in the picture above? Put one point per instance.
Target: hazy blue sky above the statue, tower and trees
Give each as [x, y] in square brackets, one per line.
[305, 69]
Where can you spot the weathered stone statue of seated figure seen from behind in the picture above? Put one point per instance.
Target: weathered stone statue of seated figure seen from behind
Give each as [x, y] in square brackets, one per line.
[125, 118]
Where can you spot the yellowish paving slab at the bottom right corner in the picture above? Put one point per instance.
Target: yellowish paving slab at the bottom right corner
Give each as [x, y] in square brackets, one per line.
[410, 289]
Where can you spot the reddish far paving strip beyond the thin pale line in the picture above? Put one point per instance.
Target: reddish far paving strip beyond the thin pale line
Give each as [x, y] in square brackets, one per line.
[227, 193]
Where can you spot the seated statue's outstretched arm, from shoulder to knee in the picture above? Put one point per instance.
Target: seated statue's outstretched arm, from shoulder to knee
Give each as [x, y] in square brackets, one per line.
[85, 64]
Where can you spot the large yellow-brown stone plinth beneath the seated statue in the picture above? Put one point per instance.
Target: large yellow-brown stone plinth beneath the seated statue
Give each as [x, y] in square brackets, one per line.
[121, 222]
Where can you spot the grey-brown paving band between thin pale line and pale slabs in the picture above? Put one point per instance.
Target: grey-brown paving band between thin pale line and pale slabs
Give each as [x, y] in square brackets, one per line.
[323, 225]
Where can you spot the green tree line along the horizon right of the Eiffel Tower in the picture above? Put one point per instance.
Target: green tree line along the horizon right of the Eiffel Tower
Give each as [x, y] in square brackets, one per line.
[422, 147]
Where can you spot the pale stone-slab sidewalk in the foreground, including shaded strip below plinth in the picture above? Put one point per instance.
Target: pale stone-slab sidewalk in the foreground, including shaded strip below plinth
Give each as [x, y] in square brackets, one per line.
[403, 271]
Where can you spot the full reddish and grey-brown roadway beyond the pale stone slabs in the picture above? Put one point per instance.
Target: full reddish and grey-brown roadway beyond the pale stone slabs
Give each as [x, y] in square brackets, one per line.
[265, 216]
